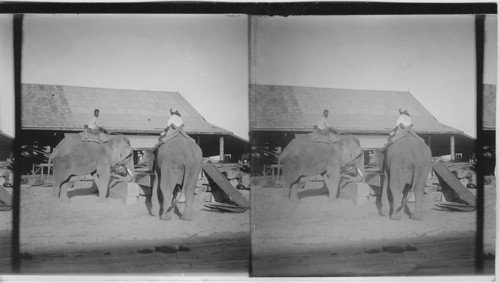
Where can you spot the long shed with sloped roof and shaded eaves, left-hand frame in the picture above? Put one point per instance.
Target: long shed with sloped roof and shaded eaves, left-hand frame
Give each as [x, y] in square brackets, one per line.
[49, 112]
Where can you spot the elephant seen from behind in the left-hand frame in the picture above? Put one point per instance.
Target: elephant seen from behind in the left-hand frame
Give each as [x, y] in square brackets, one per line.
[177, 162]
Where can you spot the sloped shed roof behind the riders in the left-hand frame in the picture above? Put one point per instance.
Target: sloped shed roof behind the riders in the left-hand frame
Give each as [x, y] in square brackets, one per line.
[68, 108]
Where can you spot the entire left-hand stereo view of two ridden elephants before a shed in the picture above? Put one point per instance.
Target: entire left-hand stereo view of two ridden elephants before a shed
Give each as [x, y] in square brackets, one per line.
[134, 144]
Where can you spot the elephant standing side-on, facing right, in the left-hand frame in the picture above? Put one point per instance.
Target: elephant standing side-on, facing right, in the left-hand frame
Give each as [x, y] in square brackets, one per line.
[75, 157]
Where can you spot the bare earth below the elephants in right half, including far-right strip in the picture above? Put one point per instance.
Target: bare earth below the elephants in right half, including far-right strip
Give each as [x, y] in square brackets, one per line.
[316, 238]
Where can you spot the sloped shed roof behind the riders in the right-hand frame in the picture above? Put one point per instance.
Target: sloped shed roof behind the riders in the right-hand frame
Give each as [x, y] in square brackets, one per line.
[294, 108]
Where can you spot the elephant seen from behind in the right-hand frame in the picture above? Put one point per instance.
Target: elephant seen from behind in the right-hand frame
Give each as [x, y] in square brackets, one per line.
[406, 163]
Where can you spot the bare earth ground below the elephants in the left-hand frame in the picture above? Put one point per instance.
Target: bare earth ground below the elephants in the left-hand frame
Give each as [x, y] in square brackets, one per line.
[87, 236]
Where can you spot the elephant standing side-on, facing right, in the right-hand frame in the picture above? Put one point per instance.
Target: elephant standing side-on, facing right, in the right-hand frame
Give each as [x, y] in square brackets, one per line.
[304, 157]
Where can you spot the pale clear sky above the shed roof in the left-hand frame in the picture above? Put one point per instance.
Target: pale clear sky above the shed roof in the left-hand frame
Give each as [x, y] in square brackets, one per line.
[204, 57]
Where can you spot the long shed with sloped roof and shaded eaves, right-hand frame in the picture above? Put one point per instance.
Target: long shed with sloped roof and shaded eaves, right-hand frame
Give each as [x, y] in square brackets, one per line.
[278, 113]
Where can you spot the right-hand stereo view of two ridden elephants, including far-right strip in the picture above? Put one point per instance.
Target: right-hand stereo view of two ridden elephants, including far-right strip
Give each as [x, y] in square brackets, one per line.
[363, 132]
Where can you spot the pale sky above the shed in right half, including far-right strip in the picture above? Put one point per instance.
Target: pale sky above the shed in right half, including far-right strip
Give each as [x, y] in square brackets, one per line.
[431, 56]
